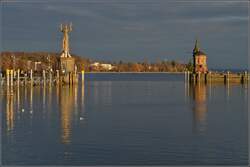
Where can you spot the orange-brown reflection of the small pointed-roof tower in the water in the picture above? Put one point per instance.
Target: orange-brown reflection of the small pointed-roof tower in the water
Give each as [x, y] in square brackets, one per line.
[200, 106]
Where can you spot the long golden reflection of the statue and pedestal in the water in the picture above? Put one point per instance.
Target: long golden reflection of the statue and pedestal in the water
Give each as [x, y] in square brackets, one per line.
[66, 109]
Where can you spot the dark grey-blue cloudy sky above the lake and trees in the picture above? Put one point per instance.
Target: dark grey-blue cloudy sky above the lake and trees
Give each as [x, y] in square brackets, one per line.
[131, 30]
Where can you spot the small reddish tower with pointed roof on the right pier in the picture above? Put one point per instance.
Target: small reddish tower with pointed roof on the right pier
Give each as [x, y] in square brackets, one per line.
[199, 60]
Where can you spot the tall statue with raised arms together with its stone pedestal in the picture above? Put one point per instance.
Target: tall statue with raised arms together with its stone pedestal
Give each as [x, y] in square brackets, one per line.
[67, 62]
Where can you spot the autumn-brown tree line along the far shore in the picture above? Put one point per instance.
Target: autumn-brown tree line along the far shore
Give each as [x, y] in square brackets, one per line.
[39, 61]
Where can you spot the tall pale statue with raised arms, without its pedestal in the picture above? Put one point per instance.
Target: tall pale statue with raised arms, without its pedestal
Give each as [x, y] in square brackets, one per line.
[65, 29]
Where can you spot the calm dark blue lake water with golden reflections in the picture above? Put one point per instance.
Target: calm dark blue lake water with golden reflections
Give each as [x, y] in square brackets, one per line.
[126, 119]
